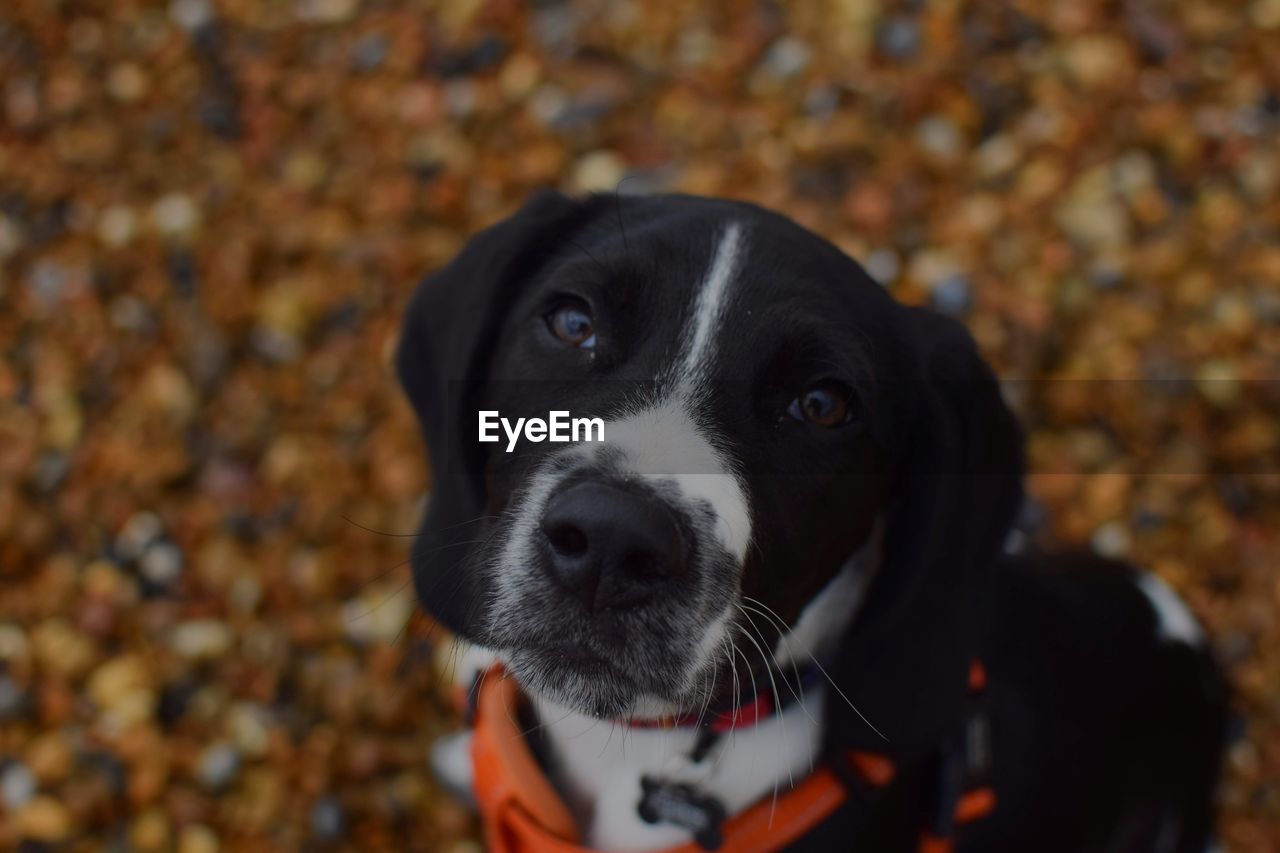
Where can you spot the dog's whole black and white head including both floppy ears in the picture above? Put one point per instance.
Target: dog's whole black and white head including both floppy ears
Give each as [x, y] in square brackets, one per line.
[769, 412]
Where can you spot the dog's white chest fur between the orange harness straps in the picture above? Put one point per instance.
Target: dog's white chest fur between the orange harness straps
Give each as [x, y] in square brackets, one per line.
[600, 767]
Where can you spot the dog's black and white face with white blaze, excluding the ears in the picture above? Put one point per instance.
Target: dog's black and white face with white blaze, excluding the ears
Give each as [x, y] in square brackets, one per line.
[739, 458]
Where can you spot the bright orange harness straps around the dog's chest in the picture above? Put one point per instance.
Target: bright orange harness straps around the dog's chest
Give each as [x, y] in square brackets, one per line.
[523, 813]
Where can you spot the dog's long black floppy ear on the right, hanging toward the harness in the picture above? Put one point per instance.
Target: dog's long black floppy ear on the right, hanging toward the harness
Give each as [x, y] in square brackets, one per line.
[904, 663]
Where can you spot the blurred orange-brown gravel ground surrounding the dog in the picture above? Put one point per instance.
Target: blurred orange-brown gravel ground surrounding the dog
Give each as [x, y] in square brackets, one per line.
[213, 212]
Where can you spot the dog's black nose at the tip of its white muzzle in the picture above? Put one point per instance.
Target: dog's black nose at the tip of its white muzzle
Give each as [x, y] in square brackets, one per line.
[609, 545]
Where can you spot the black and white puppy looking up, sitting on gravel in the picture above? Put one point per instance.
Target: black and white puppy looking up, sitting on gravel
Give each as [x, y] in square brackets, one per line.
[797, 472]
